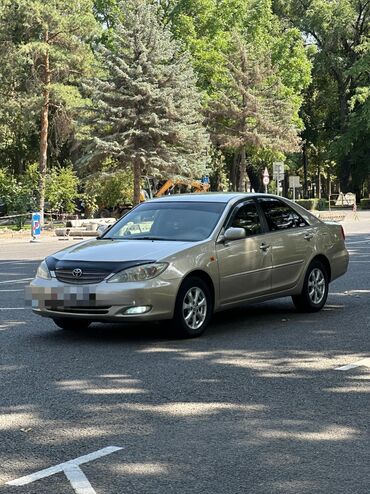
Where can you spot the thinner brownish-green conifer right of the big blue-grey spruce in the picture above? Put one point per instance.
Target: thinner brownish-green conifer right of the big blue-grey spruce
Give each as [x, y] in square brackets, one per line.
[252, 111]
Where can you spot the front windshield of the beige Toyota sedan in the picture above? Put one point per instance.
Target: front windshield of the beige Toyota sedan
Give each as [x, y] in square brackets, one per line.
[178, 221]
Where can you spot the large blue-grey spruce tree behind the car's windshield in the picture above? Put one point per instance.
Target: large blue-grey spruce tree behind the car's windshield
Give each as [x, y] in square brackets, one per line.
[147, 110]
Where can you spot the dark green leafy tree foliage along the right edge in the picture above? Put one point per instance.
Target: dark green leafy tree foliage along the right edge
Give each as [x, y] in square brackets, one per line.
[335, 113]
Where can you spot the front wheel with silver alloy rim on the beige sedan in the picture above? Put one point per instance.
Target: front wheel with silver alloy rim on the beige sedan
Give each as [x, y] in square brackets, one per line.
[193, 309]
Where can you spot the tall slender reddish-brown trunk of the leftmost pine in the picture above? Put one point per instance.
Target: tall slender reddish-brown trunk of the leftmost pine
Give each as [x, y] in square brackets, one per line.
[44, 131]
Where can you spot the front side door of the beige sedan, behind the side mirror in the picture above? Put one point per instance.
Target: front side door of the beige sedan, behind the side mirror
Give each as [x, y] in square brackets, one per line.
[245, 264]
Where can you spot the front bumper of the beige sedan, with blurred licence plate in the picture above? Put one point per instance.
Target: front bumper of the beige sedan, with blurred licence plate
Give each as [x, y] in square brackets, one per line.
[103, 301]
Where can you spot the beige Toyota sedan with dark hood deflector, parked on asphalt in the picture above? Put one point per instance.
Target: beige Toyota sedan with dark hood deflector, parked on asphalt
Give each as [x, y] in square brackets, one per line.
[183, 257]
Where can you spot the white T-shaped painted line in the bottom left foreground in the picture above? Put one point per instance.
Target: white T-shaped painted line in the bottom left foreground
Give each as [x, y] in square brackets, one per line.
[72, 471]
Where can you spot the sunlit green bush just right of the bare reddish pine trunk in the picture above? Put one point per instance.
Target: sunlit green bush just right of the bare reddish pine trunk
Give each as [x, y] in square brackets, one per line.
[62, 189]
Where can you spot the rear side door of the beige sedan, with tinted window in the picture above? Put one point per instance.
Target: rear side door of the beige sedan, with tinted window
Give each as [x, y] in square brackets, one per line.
[291, 242]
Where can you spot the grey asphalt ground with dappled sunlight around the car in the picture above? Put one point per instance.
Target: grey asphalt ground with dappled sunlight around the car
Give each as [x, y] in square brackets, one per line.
[254, 406]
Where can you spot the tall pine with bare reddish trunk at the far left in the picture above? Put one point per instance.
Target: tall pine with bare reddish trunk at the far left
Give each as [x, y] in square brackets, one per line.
[46, 42]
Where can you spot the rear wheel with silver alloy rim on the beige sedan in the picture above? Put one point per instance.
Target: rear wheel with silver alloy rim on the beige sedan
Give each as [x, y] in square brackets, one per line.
[315, 289]
